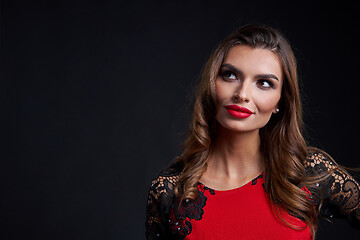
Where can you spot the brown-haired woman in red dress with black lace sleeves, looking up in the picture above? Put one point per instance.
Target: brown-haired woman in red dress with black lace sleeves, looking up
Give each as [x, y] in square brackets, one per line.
[246, 171]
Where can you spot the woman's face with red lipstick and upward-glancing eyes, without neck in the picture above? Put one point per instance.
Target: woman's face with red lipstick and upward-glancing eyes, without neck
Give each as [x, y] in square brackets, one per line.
[248, 88]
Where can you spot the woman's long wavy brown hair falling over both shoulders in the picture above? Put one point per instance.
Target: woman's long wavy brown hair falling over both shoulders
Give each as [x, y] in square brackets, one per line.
[282, 144]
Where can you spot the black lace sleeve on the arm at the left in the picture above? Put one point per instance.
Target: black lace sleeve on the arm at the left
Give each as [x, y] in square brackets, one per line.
[160, 197]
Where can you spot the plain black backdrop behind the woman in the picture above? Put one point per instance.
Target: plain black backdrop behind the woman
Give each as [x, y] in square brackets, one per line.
[95, 98]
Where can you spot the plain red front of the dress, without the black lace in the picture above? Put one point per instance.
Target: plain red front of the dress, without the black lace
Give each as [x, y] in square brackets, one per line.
[243, 213]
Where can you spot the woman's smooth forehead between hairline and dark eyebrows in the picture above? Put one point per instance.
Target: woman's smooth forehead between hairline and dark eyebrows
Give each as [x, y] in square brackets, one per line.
[253, 61]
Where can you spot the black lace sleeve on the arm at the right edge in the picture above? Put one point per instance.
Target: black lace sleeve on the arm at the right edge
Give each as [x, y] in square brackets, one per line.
[338, 195]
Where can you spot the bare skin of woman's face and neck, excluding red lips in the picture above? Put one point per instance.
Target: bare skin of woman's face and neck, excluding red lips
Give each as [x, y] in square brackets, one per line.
[251, 78]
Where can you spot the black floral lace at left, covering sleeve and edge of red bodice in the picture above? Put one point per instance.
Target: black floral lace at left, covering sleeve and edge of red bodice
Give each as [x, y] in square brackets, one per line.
[166, 218]
